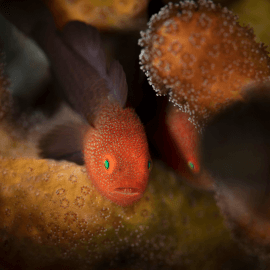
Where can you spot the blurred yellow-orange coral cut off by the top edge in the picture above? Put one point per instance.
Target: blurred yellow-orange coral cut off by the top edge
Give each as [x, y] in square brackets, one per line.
[130, 14]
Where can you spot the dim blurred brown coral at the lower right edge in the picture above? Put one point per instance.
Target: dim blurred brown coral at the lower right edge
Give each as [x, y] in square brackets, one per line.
[248, 227]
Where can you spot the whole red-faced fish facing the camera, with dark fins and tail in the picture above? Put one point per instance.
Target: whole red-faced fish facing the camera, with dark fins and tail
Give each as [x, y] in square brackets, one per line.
[112, 142]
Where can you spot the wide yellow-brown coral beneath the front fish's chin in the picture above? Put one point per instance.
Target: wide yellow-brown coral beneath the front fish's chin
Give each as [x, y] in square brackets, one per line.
[51, 213]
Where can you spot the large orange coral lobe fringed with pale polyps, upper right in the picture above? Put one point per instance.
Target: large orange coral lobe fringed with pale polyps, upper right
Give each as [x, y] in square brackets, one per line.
[201, 57]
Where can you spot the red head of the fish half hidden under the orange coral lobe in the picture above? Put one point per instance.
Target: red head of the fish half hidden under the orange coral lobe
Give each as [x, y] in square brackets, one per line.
[183, 152]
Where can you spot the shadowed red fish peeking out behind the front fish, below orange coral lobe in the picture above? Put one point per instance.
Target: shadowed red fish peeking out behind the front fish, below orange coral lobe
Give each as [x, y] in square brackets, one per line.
[176, 140]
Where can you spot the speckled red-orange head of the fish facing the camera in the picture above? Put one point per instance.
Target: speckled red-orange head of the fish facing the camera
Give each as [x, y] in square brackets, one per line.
[116, 155]
